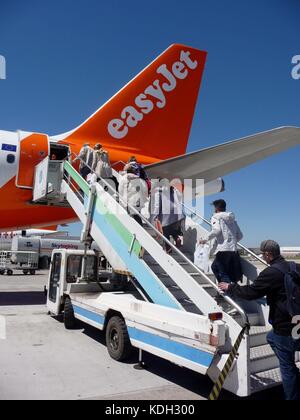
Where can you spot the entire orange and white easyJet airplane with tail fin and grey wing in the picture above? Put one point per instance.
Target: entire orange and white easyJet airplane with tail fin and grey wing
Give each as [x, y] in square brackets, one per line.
[149, 118]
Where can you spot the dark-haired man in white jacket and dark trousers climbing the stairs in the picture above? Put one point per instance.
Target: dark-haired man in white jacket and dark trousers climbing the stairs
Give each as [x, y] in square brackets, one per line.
[226, 235]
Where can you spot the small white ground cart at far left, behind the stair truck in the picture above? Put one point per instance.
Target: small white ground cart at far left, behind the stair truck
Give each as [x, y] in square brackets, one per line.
[24, 261]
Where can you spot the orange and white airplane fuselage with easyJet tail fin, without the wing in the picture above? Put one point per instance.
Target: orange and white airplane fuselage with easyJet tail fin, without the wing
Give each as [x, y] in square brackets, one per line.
[150, 118]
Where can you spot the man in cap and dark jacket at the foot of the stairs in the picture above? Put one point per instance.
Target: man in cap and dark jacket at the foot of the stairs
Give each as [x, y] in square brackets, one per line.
[280, 283]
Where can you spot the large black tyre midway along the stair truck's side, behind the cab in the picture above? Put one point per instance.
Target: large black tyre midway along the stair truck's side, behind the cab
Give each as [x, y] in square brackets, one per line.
[117, 339]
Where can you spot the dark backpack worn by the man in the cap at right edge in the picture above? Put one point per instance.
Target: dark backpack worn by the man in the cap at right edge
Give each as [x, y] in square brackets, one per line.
[292, 287]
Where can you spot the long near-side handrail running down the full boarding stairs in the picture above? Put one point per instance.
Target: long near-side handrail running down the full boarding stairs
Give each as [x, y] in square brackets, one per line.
[173, 247]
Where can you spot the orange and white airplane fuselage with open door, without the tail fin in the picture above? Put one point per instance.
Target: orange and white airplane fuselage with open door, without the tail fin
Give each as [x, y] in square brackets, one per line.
[20, 152]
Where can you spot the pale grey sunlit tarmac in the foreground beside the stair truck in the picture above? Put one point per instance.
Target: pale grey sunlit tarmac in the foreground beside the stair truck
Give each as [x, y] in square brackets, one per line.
[40, 360]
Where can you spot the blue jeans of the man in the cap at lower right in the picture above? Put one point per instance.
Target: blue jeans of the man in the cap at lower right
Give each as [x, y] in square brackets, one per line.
[285, 349]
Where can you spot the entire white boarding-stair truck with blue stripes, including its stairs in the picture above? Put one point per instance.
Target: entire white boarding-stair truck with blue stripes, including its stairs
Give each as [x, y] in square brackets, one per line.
[167, 310]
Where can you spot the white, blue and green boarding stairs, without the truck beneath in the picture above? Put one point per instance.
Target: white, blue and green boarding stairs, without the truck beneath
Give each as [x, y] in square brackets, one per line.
[171, 280]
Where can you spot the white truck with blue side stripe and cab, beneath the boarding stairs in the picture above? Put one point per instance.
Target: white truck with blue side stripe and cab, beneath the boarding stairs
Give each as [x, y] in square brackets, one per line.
[121, 311]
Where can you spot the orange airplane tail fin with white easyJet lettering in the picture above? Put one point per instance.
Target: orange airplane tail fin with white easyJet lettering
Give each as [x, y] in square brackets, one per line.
[151, 116]
